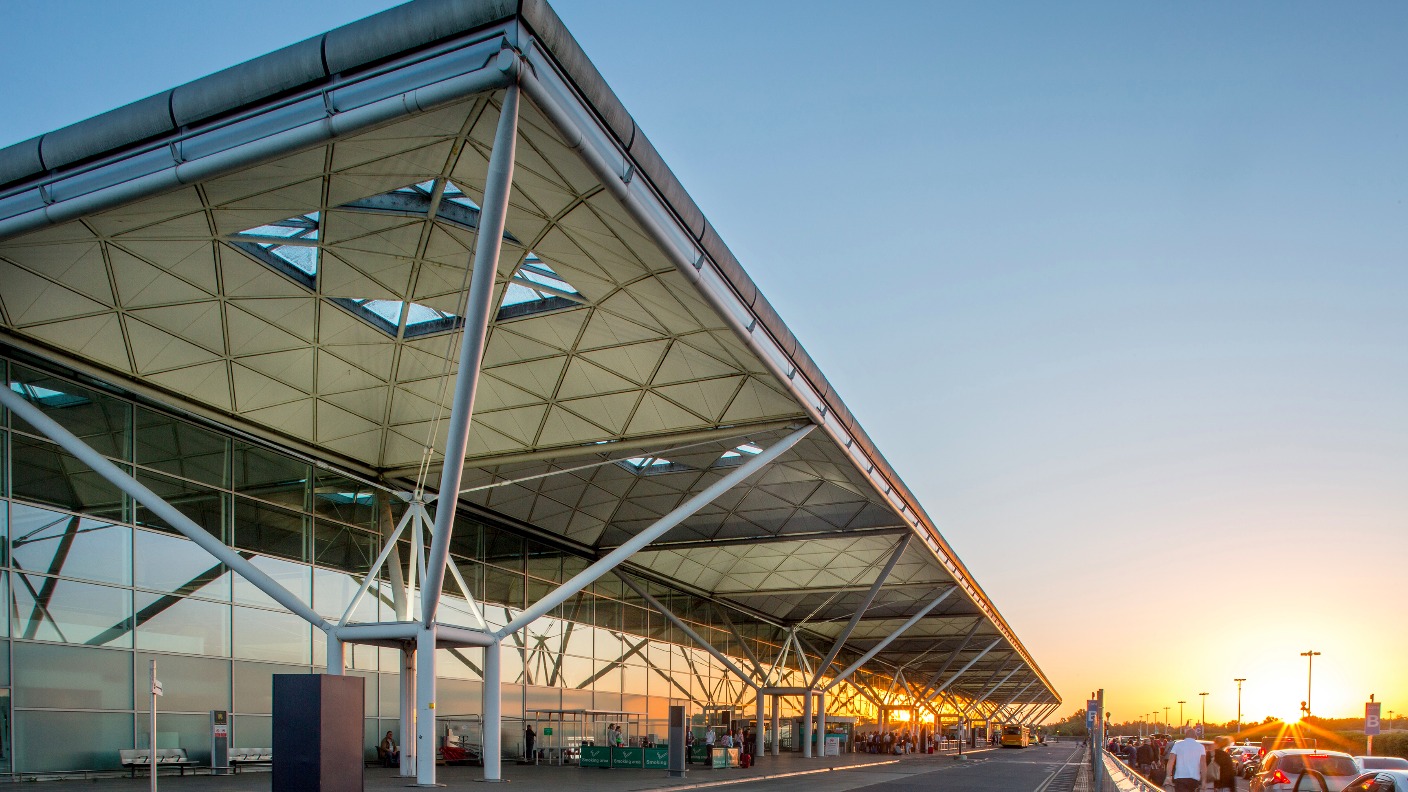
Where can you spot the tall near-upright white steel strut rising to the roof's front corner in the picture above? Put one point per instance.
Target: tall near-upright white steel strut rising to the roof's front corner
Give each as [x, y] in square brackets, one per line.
[488, 243]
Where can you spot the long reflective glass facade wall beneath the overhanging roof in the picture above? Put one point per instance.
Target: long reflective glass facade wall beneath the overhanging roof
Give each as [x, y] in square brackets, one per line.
[99, 588]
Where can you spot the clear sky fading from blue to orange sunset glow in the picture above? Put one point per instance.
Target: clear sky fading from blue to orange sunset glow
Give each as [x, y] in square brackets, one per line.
[1117, 288]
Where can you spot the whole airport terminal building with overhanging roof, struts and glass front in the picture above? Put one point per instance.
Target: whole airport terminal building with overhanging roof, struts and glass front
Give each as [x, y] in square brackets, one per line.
[253, 335]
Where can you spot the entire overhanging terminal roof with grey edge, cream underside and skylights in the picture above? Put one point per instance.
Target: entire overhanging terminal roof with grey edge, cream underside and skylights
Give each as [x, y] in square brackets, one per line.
[285, 247]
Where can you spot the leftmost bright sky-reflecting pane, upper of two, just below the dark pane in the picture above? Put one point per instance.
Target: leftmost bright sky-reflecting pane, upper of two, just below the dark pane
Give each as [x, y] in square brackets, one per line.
[74, 547]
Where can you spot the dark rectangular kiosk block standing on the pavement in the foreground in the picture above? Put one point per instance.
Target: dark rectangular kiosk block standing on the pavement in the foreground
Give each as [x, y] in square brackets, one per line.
[318, 734]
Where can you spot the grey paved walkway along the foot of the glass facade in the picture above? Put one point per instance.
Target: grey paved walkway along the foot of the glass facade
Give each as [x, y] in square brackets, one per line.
[868, 769]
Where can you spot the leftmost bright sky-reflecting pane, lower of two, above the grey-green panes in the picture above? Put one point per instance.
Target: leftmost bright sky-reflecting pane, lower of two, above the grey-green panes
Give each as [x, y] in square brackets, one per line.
[53, 610]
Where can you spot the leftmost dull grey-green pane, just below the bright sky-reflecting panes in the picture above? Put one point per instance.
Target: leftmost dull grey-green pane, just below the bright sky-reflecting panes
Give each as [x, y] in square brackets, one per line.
[49, 676]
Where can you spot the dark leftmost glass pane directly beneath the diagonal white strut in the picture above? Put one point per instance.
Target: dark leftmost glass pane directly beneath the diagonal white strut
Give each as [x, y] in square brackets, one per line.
[43, 473]
